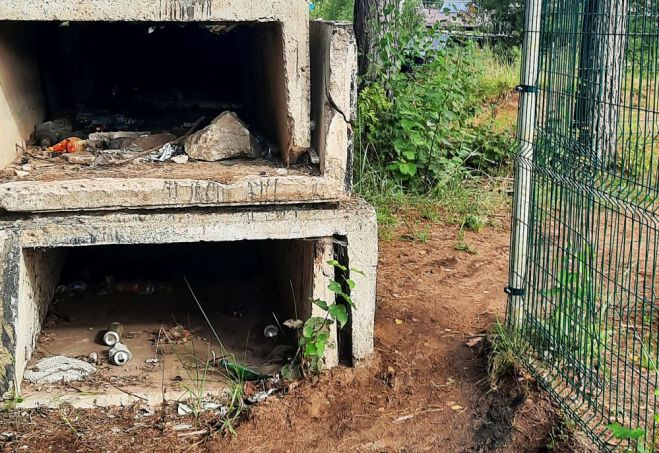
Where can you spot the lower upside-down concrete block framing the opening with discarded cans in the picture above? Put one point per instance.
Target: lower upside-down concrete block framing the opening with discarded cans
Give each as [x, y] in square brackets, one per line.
[25, 284]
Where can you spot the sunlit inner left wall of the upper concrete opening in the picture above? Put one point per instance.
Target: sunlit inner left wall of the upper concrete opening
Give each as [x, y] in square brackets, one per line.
[21, 101]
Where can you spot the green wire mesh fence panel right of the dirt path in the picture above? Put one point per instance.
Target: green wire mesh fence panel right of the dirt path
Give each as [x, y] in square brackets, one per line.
[583, 280]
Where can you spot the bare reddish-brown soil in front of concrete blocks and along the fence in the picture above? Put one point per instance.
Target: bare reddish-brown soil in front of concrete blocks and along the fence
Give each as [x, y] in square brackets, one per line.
[426, 388]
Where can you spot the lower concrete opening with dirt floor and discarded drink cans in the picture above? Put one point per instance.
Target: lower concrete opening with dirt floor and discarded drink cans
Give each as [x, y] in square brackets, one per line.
[71, 295]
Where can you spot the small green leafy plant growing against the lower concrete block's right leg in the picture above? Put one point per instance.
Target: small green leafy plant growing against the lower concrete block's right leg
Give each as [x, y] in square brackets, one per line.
[314, 333]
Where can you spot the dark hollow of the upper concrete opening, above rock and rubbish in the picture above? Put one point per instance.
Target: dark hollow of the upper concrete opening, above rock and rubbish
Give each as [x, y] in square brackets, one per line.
[142, 76]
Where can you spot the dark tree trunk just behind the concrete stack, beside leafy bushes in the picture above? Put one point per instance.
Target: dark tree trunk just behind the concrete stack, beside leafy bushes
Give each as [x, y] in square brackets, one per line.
[370, 25]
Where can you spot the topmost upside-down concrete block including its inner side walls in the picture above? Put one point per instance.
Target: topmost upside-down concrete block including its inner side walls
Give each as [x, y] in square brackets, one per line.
[283, 52]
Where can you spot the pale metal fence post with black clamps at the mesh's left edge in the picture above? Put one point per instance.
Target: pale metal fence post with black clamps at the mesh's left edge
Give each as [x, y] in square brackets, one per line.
[523, 169]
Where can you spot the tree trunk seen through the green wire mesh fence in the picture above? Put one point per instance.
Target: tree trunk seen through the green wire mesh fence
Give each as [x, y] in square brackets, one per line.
[601, 71]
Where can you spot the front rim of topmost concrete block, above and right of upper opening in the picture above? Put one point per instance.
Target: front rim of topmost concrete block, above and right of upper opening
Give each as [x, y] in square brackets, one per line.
[292, 15]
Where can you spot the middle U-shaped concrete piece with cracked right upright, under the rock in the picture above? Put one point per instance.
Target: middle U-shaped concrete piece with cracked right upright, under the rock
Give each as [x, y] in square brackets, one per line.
[333, 70]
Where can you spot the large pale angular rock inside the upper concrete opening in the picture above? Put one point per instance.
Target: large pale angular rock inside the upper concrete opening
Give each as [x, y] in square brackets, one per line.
[224, 138]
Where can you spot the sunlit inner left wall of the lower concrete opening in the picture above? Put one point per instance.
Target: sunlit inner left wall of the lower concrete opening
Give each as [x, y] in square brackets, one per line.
[39, 275]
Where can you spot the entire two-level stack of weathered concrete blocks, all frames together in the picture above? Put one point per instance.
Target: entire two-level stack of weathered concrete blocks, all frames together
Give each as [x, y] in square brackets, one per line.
[305, 213]
